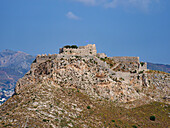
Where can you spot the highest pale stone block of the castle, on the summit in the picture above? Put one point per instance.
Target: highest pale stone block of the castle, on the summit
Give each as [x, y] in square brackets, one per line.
[89, 49]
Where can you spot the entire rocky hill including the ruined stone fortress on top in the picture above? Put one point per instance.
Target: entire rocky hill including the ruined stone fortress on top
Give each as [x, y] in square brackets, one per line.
[82, 88]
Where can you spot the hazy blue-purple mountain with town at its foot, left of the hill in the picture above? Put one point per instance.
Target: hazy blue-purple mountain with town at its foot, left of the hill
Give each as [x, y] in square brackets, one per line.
[13, 65]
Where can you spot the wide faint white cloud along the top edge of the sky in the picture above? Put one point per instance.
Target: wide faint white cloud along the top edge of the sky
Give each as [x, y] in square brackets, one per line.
[143, 4]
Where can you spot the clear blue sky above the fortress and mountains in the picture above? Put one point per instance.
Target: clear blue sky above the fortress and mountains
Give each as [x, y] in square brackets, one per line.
[117, 27]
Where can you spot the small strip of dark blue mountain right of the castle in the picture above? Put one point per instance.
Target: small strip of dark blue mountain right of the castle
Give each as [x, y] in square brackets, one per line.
[159, 67]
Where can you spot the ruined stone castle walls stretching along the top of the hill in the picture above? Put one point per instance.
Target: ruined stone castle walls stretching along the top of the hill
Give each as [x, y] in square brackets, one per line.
[90, 50]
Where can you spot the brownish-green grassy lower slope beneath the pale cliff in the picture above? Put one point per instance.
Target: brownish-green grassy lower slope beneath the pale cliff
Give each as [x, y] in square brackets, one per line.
[102, 110]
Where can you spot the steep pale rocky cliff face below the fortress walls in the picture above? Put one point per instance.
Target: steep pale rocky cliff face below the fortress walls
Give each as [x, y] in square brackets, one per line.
[121, 79]
